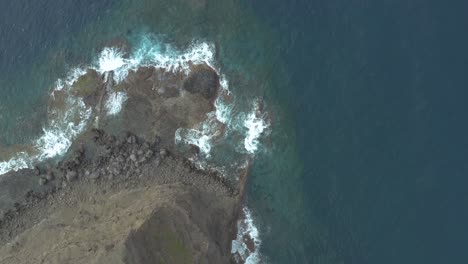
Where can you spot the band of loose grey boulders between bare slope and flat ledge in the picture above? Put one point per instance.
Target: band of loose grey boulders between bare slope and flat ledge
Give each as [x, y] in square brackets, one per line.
[110, 157]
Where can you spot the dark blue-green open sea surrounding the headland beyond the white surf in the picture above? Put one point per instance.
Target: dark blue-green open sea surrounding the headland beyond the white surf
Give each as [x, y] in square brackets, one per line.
[366, 155]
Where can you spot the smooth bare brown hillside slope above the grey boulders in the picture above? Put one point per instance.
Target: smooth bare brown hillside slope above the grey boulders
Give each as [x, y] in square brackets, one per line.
[141, 225]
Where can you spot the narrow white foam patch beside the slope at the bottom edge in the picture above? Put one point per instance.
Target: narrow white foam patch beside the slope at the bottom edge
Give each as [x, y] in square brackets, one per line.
[246, 227]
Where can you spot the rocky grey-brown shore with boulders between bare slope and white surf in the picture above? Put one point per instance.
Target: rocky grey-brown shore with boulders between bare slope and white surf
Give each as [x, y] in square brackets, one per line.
[125, 154]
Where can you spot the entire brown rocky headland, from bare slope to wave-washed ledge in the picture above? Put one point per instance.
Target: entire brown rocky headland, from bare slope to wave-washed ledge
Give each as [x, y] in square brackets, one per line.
[124, 193]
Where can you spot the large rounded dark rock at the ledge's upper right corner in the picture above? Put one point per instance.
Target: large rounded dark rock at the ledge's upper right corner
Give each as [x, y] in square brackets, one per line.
[202, 80]
